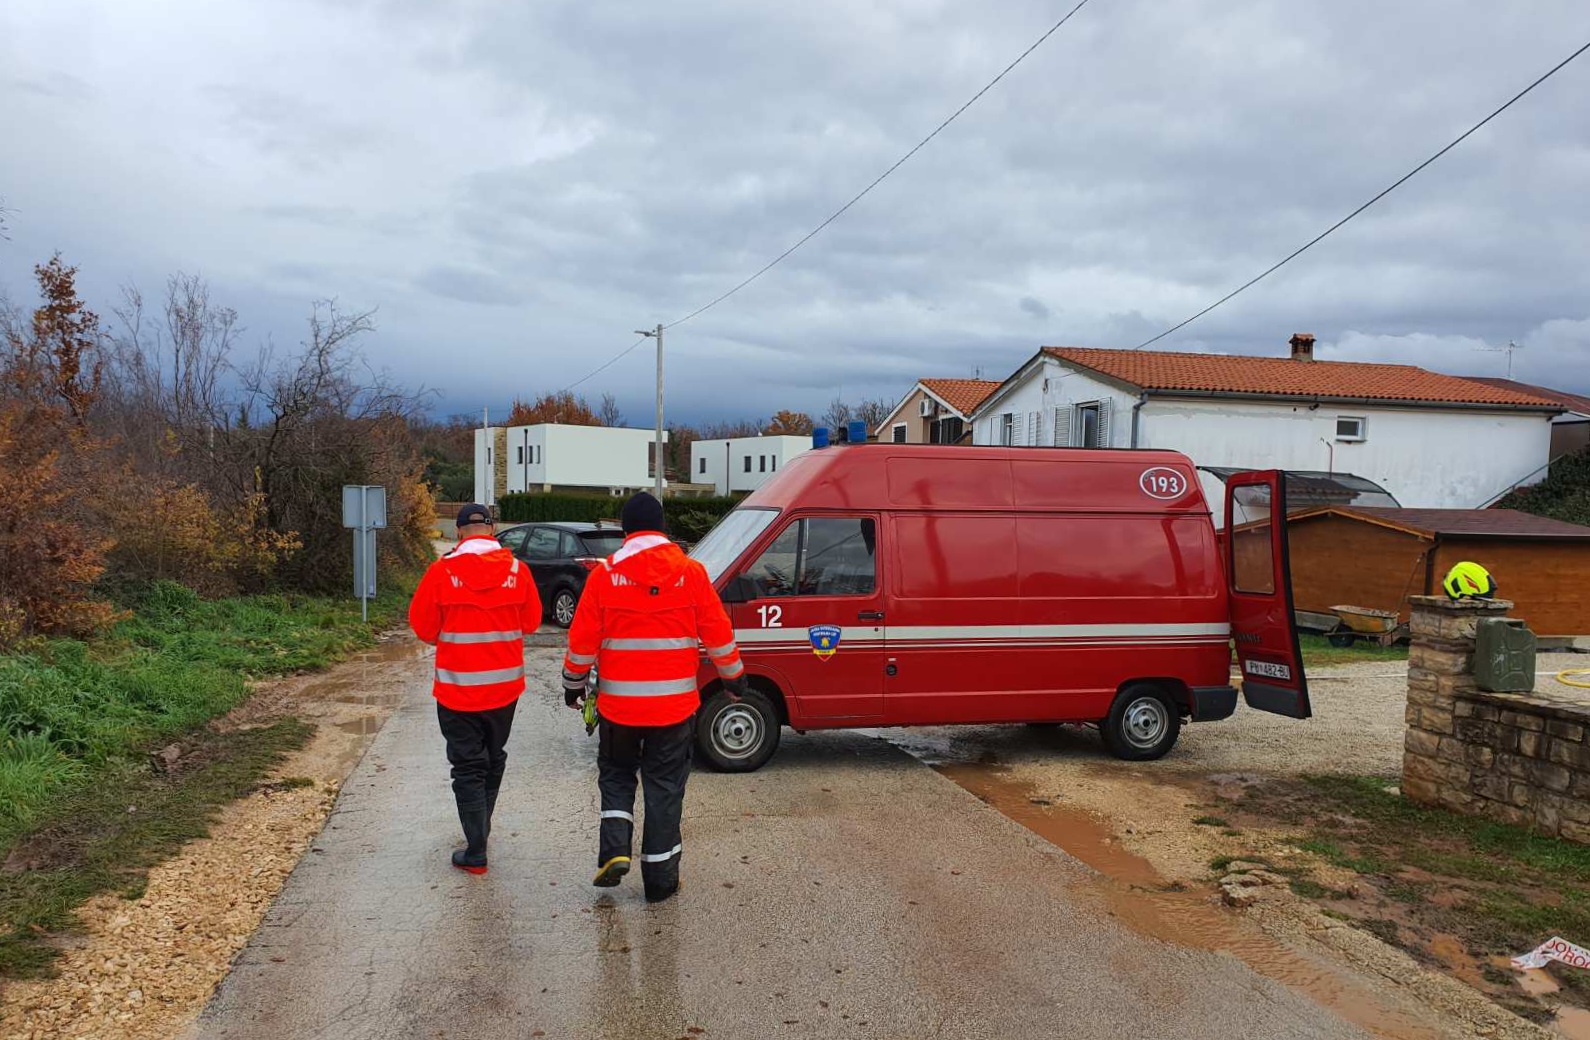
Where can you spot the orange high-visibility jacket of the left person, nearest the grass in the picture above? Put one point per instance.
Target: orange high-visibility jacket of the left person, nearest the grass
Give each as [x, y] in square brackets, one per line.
[476, 605]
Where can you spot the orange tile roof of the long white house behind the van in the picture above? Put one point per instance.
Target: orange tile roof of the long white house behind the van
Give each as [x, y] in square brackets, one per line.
[1238, 374]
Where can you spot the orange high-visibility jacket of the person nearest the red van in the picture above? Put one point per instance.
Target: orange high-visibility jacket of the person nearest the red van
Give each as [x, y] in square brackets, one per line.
[643, 621]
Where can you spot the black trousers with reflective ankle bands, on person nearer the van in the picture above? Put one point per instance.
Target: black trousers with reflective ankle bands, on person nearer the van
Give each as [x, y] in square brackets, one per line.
[662, 756]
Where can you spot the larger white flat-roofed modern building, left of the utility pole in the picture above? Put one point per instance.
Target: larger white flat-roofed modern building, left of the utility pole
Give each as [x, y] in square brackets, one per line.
[557, 457]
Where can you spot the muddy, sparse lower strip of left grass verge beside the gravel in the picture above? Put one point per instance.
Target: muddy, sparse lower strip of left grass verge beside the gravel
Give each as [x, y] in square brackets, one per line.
[106, 837]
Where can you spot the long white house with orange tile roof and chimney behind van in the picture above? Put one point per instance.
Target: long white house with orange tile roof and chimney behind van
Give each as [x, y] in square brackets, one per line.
[1432, 441]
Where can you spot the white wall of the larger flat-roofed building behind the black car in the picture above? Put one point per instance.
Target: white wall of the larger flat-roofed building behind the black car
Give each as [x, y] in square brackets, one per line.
[578, 457]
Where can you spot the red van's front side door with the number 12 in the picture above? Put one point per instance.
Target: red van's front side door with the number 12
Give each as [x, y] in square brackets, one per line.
[813, 616]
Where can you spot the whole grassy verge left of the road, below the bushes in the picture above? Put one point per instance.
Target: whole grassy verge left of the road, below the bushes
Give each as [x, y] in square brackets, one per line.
[80, 720]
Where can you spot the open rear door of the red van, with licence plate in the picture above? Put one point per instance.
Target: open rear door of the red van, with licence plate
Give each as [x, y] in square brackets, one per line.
[1258, 575]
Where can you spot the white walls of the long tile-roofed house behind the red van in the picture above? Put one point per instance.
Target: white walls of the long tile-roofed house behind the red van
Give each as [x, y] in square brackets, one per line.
[1425, 457]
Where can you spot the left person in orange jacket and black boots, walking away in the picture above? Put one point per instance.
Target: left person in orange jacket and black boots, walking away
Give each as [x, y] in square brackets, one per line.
[476, 605]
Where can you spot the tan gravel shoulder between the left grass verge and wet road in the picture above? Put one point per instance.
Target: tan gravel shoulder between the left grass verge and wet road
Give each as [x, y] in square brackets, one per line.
[142, 969]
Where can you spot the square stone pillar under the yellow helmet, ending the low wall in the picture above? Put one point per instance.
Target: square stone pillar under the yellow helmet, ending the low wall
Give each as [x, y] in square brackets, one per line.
[1438, 767]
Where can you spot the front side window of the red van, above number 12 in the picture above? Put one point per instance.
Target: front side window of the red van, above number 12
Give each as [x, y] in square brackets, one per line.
[820, 557]
